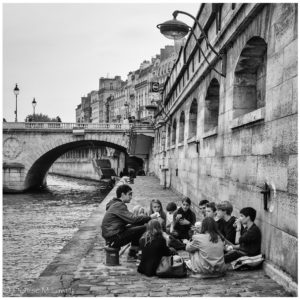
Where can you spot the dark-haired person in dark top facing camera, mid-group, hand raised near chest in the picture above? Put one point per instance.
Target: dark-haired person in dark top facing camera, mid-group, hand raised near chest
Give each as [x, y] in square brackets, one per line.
[184, 220]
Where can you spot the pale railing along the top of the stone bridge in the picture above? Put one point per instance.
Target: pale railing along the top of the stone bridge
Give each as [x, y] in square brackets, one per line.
[64, 126]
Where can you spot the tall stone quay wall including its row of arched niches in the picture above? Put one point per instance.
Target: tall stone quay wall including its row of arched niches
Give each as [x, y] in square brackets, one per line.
[244, 145]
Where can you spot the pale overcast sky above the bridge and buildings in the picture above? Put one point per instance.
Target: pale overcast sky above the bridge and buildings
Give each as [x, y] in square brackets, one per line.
[57, 52]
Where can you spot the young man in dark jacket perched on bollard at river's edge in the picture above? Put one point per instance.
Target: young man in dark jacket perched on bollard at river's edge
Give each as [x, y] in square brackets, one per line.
[115, 223]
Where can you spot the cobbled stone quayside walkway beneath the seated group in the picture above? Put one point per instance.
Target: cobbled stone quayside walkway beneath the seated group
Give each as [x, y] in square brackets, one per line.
[78, 272]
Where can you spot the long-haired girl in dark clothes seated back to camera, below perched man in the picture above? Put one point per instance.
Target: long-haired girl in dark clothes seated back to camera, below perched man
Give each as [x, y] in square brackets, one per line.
[154, 247]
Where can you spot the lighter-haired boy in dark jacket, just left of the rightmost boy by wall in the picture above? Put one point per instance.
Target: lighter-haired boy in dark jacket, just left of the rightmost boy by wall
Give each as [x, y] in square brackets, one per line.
[226, 221]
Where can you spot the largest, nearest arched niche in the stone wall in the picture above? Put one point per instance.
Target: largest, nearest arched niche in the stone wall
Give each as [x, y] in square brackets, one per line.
[249, 88]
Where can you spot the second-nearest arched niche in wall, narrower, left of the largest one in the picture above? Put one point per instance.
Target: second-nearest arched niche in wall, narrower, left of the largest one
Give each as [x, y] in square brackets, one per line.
[212, 101]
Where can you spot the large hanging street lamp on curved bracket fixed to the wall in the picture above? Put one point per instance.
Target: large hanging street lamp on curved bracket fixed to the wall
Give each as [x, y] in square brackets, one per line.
[174, 29]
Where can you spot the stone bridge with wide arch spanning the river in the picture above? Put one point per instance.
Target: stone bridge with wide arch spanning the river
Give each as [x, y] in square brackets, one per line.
[29, 149]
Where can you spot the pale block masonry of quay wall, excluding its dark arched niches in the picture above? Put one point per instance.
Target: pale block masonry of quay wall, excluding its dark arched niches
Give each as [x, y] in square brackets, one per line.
[244, 152]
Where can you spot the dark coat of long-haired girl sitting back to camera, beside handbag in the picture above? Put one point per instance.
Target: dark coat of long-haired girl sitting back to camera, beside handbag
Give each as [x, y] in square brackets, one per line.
[152, 254]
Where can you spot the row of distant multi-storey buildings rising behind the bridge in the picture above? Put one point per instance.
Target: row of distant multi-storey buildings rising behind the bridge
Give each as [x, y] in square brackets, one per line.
[107, 104]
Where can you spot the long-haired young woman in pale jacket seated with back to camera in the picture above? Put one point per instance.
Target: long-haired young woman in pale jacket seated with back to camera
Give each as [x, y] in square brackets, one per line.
[206, 251]
